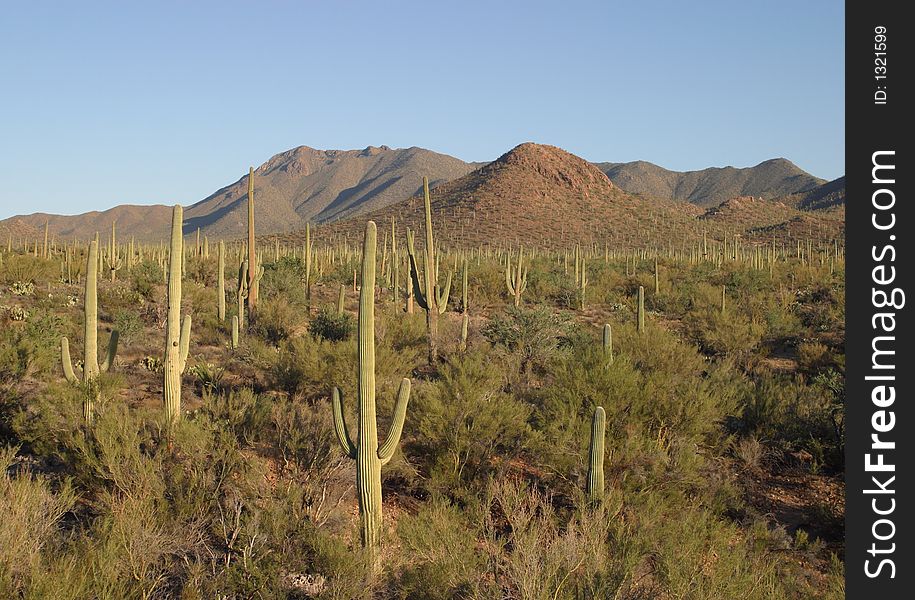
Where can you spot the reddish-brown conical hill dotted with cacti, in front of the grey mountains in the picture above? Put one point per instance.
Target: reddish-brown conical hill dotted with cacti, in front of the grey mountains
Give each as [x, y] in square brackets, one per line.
[536, 195]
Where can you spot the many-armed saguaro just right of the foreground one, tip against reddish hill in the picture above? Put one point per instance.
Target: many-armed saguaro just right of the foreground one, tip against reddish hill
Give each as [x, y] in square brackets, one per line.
[431, 298]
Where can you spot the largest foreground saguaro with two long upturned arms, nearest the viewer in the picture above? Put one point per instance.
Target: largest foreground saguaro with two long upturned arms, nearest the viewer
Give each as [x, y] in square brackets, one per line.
[369, 456]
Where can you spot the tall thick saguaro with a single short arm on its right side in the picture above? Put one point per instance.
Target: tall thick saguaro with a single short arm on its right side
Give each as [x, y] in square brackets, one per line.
[178, 334]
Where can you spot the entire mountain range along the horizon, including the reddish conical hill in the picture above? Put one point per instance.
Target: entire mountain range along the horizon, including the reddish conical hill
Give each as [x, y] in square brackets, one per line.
[550, 189]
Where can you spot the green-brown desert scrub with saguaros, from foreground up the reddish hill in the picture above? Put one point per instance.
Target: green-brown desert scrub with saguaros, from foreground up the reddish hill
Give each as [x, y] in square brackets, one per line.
[623, 417]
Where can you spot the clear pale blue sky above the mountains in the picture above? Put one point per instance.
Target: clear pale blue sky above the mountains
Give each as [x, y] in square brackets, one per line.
[103, 103]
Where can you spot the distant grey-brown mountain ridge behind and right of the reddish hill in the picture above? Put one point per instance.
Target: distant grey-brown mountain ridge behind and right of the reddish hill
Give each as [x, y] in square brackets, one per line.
[710, 187]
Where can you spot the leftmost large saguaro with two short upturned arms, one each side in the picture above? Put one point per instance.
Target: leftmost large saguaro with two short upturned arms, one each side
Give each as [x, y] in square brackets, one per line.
[91, 367]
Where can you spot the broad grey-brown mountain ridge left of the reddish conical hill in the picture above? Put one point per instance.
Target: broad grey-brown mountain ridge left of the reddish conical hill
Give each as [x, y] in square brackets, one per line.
[290, 189]
